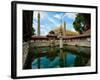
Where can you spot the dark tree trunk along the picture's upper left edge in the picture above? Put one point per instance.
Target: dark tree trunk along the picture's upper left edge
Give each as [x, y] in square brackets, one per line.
[27, 25]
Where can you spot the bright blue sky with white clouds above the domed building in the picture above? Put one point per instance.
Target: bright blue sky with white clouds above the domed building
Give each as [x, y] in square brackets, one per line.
[52, 20]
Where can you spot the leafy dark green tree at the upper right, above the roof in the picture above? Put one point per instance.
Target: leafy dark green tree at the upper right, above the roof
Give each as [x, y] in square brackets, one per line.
[82, 22]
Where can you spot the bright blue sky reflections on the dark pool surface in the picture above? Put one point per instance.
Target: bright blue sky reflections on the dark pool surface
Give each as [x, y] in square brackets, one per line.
[47, 63]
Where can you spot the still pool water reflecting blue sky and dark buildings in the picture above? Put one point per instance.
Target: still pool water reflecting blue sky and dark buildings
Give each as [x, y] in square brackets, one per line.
[56, 58]
